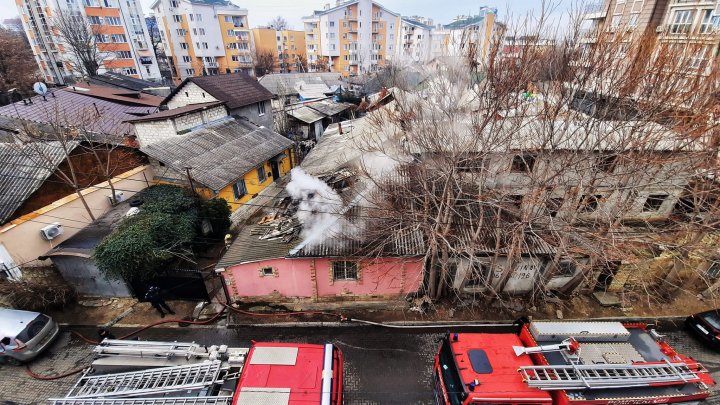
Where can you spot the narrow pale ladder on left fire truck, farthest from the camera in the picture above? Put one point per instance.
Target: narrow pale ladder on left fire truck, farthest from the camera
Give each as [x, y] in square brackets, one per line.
[113, 347]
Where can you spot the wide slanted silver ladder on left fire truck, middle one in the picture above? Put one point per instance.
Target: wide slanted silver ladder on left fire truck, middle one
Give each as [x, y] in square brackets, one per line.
[155, 381]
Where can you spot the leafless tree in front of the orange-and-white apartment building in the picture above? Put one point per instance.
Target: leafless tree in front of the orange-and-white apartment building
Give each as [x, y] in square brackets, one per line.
[82, 40]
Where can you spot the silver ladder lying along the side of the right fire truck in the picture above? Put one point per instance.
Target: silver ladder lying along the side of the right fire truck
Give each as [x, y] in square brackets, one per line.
[598, 376]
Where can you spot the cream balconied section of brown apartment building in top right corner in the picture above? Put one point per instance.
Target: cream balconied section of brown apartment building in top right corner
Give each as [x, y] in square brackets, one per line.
[696, 25]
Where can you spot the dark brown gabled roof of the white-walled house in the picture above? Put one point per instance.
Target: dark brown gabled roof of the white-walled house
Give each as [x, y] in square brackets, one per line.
[235, 89]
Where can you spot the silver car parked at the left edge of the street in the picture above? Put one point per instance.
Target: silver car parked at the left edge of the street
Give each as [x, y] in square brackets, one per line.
[24, 334]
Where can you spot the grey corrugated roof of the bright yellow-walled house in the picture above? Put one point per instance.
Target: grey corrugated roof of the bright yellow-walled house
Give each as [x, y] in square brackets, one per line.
[220, 153]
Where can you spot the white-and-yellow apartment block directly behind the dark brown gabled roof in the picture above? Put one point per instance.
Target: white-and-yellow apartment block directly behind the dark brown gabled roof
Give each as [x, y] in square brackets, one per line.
[204, 37]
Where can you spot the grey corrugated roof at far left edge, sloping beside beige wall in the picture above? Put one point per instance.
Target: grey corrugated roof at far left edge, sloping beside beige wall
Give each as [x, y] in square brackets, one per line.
[23, 169]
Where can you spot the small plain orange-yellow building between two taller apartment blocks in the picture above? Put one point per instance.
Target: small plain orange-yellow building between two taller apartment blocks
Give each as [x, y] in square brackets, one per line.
[287, 46]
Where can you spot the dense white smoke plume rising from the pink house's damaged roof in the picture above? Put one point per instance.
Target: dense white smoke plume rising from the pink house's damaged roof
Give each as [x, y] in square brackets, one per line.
[320, 207]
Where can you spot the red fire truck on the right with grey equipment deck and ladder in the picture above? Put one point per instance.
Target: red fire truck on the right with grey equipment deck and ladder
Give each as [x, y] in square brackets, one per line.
[566, 363]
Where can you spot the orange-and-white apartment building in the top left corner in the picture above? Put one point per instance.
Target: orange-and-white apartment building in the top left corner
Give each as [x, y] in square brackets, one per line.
[118, 27]
